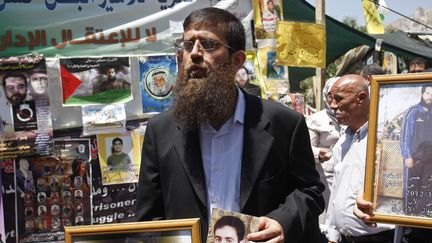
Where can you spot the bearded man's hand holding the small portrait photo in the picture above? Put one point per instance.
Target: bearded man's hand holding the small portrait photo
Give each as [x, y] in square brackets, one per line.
[269, 231]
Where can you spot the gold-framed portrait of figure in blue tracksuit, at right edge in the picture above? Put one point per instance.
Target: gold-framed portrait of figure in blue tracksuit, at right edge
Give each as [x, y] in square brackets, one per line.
[398, 178]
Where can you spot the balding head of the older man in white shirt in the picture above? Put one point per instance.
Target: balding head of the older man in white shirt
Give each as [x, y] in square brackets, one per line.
[350, 101]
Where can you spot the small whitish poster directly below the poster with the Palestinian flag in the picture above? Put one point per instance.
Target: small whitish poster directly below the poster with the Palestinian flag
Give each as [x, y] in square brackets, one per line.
[103, 119]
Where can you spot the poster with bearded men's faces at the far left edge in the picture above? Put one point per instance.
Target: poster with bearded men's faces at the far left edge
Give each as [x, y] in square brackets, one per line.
[25, 117]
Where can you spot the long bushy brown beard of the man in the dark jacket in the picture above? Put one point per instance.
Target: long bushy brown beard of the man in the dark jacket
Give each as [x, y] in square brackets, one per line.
[207, 99]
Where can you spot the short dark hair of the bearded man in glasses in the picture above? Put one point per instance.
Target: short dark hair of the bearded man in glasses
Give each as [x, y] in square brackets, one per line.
[218, 20]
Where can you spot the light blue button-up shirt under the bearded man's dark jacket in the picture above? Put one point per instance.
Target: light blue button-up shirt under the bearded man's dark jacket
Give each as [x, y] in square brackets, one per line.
[222, 157]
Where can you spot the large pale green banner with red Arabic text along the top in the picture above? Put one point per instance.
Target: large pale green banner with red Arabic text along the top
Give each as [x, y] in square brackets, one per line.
[99, 27]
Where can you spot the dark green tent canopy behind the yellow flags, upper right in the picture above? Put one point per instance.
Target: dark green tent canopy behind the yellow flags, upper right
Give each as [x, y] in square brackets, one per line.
[341, 38]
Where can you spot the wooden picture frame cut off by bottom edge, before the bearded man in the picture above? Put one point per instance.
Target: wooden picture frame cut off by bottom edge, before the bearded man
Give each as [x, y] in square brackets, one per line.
[169, 231]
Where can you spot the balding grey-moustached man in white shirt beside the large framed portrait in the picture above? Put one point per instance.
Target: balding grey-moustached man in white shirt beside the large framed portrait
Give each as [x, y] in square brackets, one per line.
[350, 102]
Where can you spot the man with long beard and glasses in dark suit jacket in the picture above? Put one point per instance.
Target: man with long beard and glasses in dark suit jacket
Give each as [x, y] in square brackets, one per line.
[219, 147]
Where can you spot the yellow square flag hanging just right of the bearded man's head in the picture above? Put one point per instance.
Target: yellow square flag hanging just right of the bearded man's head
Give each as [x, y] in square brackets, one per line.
[300, 44]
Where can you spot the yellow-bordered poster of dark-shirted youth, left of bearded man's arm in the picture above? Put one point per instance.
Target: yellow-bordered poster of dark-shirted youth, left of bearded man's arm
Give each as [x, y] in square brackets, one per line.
[119, 157]
